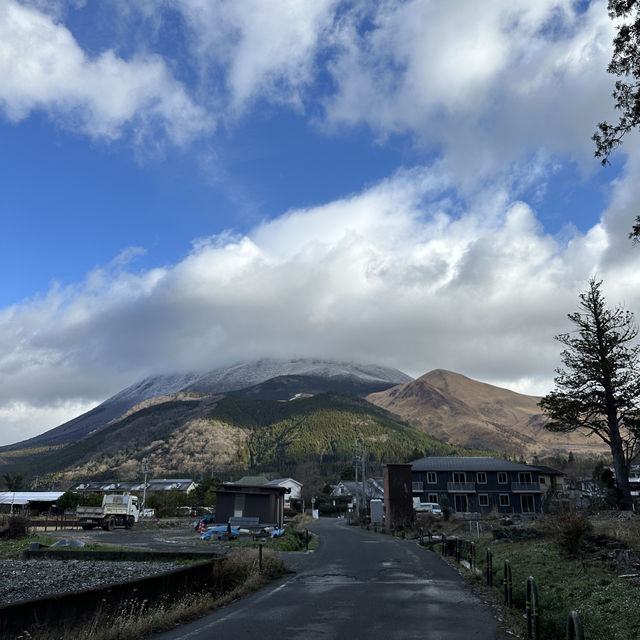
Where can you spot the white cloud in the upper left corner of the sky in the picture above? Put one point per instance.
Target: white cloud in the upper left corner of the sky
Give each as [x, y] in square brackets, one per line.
[43, 68]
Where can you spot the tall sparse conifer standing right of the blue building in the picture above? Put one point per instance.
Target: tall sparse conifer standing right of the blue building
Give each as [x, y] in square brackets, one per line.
[598, 390]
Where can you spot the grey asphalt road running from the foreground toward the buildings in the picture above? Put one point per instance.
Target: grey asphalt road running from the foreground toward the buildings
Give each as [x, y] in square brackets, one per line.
[357, 584]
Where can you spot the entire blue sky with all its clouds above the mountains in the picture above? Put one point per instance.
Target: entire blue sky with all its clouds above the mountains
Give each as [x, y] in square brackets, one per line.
[190, 183]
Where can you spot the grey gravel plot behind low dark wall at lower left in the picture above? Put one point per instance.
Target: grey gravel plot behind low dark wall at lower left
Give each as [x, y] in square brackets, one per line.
[29, 579]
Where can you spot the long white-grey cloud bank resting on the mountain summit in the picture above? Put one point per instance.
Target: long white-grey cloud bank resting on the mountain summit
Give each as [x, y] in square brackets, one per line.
[395, 275]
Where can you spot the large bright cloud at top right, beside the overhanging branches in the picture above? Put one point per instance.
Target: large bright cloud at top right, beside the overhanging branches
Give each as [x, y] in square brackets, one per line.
[488, 83]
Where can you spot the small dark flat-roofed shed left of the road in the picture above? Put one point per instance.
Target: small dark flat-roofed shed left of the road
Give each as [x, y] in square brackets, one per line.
[246, 501]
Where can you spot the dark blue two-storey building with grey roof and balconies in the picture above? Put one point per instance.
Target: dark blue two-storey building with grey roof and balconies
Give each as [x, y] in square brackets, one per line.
[478, 485]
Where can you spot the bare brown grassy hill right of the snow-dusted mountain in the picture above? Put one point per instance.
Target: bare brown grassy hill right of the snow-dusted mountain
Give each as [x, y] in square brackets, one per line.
[463, 411]
